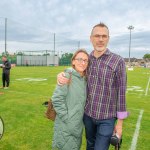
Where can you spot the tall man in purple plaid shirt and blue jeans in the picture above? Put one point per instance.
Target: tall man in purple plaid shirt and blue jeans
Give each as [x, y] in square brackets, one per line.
[106, 88]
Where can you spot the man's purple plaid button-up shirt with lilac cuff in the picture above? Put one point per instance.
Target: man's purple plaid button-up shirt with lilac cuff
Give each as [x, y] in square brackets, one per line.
[106, 88]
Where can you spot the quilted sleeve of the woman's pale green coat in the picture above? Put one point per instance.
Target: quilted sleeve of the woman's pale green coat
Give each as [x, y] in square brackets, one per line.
[59, 102]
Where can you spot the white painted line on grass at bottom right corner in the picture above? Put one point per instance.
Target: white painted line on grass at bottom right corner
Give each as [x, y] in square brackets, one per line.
[136, 133]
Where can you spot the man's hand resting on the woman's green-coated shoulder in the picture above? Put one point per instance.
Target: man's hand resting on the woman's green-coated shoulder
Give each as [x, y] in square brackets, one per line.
[61, 79]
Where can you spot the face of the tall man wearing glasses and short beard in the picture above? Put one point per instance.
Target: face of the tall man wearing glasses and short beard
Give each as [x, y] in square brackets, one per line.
[99, 38]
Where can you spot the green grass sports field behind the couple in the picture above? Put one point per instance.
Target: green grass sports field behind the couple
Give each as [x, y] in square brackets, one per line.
[23, 113]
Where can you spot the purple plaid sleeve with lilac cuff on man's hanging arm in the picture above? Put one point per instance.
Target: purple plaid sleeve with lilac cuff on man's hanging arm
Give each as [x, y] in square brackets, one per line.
[121, 84]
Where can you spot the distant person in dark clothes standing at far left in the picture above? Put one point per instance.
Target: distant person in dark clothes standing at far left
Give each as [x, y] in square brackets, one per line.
[6, 66]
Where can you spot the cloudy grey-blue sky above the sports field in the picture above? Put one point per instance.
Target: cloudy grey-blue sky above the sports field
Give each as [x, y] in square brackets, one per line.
[31, 25]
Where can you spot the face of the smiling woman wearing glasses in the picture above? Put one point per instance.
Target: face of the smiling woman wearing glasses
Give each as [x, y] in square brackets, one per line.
[80, 62]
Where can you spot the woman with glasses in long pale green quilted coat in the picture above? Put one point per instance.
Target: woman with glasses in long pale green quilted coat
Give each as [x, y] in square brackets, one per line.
[69, 101]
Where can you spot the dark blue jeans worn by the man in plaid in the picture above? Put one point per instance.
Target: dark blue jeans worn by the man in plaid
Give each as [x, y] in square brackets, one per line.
[98, 132]
